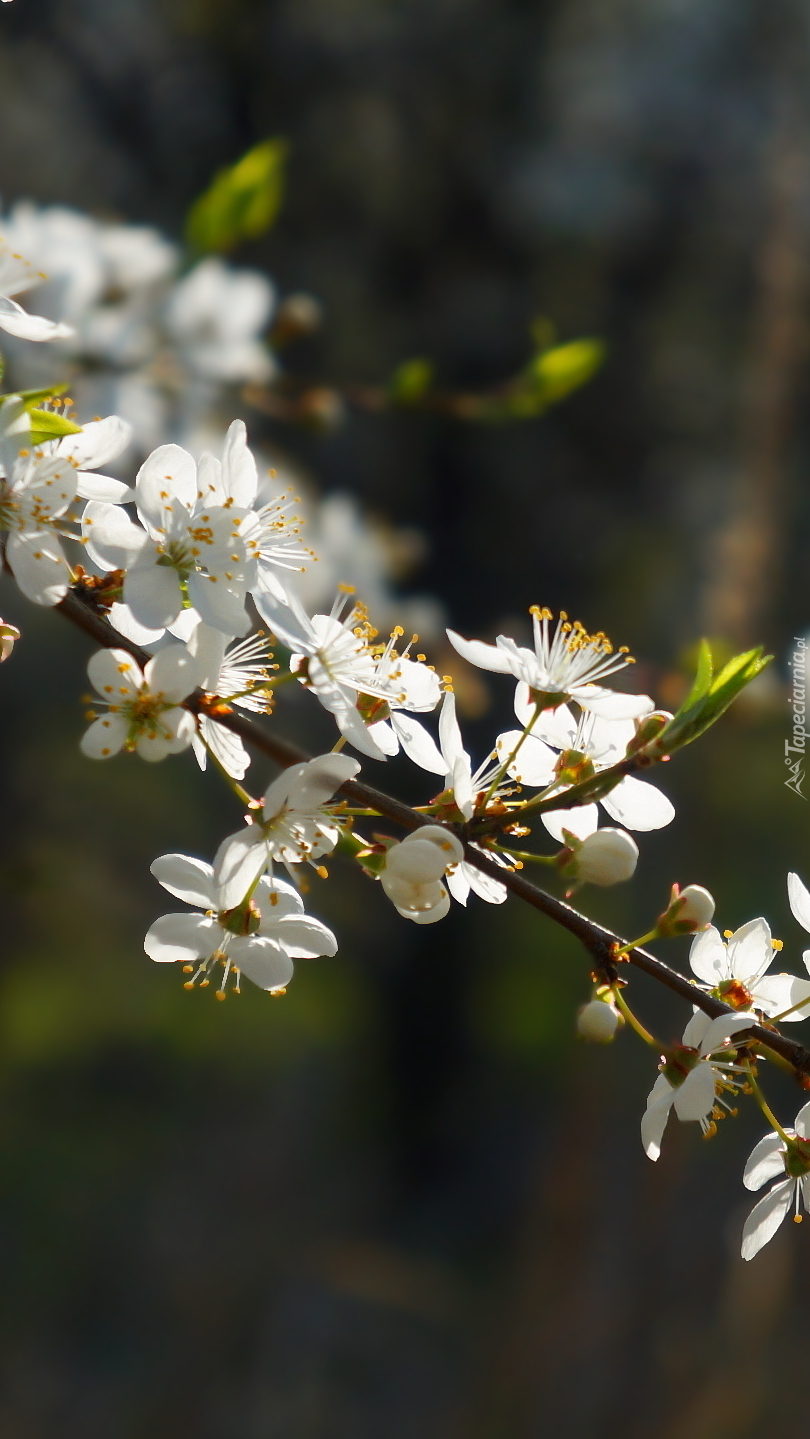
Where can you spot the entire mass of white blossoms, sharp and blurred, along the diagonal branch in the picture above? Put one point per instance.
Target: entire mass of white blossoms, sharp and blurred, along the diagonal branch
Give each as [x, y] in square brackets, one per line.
[186, 562]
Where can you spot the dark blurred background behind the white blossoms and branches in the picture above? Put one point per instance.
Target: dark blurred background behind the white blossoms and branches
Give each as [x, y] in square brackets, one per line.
[404, 1201]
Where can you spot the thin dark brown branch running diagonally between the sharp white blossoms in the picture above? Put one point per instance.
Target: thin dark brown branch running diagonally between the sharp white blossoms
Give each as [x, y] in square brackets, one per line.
[599, 942]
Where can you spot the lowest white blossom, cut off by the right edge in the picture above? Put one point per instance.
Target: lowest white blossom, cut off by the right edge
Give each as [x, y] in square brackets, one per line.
[788, 1162]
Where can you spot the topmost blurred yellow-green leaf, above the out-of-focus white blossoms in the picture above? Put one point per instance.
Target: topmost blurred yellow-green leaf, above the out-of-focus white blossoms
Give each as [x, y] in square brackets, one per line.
[242, 201]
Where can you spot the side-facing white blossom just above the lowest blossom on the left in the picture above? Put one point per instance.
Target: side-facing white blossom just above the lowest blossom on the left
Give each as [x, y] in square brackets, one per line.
[296, 825]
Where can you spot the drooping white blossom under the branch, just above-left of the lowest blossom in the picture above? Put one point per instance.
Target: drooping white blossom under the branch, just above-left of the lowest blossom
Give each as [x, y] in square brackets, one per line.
[694, 1077]
